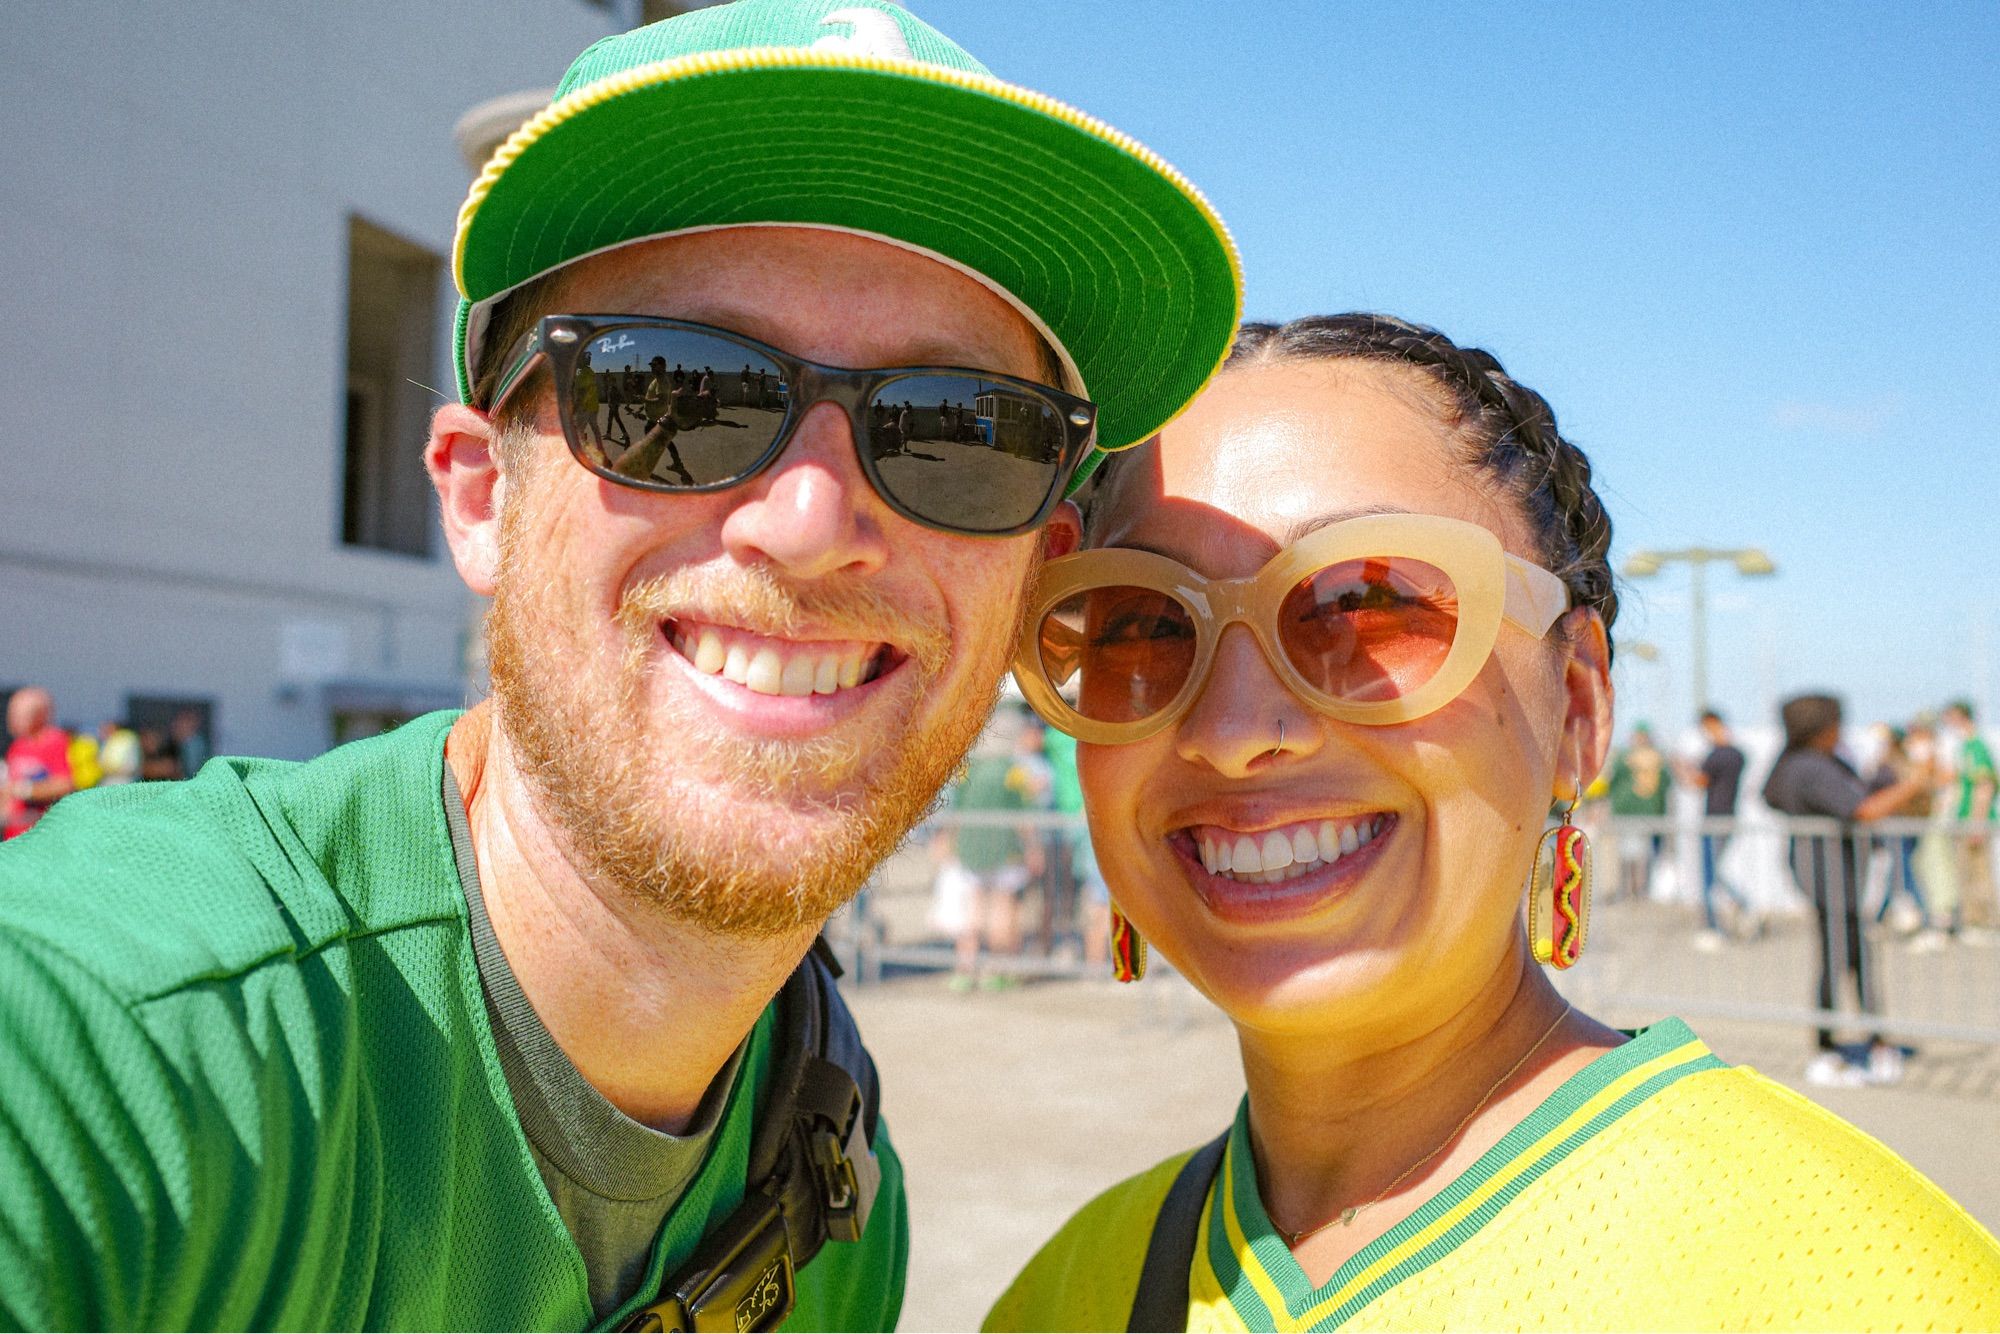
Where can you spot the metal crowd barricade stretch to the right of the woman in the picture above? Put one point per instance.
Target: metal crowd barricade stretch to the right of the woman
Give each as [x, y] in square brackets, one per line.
[1901, 965]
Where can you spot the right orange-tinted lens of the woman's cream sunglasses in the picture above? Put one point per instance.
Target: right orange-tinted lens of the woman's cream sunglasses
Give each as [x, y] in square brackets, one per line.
[1371, 629]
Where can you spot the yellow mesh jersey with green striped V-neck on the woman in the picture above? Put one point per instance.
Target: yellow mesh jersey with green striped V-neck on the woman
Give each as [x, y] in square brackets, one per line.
[1657, 1189]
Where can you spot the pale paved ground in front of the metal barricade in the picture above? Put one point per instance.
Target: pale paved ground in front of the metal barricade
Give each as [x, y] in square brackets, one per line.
[1013, 1109]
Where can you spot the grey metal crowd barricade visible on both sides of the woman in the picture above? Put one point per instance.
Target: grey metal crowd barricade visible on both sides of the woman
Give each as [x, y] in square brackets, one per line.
[1927, 965]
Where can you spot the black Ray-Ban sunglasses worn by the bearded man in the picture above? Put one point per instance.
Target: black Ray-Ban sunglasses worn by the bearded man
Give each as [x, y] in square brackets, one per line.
[679, 407]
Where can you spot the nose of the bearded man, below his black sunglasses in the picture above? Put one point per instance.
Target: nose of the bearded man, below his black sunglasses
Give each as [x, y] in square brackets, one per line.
[813, 513]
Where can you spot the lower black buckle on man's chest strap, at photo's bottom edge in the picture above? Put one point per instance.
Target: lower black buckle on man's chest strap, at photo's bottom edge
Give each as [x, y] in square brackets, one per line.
[739, 1281]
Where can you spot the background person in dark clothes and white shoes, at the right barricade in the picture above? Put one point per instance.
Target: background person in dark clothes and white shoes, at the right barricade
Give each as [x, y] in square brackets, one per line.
[1811, 781]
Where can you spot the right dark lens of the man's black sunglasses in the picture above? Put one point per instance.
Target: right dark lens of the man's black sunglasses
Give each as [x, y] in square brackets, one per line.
[965, 453]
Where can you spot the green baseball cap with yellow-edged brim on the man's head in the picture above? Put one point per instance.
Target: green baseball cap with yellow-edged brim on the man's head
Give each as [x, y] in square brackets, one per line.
[859, 117]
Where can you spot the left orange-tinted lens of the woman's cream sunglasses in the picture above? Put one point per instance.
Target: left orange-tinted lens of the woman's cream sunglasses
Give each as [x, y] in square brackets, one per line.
[1129, 651]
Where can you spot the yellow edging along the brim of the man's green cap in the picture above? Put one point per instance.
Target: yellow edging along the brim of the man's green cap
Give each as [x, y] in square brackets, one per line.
[807, 59]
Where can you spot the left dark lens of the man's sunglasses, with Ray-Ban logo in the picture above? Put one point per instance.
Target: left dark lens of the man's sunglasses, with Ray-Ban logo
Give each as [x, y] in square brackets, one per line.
[669, 407]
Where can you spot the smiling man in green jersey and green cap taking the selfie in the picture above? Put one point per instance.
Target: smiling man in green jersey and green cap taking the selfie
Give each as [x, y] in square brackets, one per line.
[489, 1023]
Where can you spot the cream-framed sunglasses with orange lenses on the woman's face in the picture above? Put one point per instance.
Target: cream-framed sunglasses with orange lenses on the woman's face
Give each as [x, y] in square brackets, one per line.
[1377, 619]
